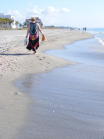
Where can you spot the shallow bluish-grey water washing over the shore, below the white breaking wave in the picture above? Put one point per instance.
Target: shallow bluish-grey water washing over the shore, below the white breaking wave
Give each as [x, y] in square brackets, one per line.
[68, 103]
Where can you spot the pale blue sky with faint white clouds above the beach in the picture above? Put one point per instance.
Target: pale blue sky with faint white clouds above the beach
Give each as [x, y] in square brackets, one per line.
[75, 13]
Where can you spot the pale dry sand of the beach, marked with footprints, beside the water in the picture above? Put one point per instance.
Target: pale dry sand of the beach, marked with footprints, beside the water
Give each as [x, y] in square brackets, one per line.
[16, 61]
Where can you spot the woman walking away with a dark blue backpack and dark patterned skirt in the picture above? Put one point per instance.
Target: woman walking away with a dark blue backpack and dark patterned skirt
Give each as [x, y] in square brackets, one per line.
[33, 34]
